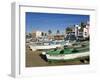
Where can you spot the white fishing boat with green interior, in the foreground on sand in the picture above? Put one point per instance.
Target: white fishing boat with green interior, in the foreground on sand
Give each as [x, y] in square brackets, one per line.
[66, 53]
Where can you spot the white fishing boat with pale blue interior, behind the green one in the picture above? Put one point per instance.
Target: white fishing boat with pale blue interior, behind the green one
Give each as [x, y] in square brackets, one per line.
[48, 45]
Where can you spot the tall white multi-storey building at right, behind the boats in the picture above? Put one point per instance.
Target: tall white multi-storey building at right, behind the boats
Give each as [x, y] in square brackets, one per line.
[78, 32]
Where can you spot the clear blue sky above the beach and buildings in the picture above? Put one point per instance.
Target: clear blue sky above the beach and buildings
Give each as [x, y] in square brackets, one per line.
[52, 21]
